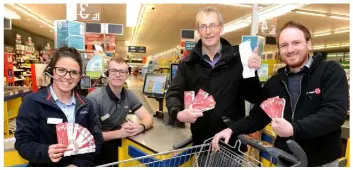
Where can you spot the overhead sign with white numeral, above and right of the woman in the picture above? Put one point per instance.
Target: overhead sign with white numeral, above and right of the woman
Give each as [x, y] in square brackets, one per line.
[89, 12]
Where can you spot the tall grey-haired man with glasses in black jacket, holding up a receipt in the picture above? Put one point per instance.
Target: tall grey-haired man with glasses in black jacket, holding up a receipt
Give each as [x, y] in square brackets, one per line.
[215, 67]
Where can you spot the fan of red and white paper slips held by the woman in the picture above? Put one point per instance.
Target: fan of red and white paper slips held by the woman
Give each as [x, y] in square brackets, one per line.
[78, 139]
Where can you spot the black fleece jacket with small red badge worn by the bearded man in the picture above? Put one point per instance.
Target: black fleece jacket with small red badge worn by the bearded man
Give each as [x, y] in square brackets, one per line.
[319, 112]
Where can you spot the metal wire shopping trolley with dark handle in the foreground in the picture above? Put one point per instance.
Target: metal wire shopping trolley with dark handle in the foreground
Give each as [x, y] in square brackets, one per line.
[227, 156]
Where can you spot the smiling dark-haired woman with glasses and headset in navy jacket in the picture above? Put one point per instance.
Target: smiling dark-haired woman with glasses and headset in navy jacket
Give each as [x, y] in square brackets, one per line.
[39, 113]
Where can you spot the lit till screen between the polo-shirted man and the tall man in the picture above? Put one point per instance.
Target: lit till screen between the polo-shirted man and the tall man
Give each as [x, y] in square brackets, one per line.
[154, 85]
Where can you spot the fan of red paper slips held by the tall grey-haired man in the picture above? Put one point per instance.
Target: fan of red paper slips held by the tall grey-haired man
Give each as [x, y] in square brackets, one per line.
[202, 101]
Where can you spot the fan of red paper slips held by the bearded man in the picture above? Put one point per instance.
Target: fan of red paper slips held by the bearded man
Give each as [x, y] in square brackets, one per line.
[274, 107]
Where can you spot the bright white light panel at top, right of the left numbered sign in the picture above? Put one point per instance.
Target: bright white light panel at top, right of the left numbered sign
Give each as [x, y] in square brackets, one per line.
[132, 13]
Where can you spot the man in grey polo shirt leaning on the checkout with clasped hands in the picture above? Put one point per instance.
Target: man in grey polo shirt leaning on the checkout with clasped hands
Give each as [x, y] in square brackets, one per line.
[112, 103]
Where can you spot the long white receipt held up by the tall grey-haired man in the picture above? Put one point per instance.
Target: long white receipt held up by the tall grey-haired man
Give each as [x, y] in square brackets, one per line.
[245, 54]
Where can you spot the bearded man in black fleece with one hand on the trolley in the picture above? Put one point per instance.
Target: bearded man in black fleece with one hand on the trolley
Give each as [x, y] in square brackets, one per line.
[316, 94]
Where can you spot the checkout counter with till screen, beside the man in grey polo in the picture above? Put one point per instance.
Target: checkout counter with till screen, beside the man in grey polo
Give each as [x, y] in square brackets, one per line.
[161, 137]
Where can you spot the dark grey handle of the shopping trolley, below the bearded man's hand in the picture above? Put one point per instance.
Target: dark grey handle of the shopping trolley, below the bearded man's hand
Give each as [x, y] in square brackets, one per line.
[298, 158]
